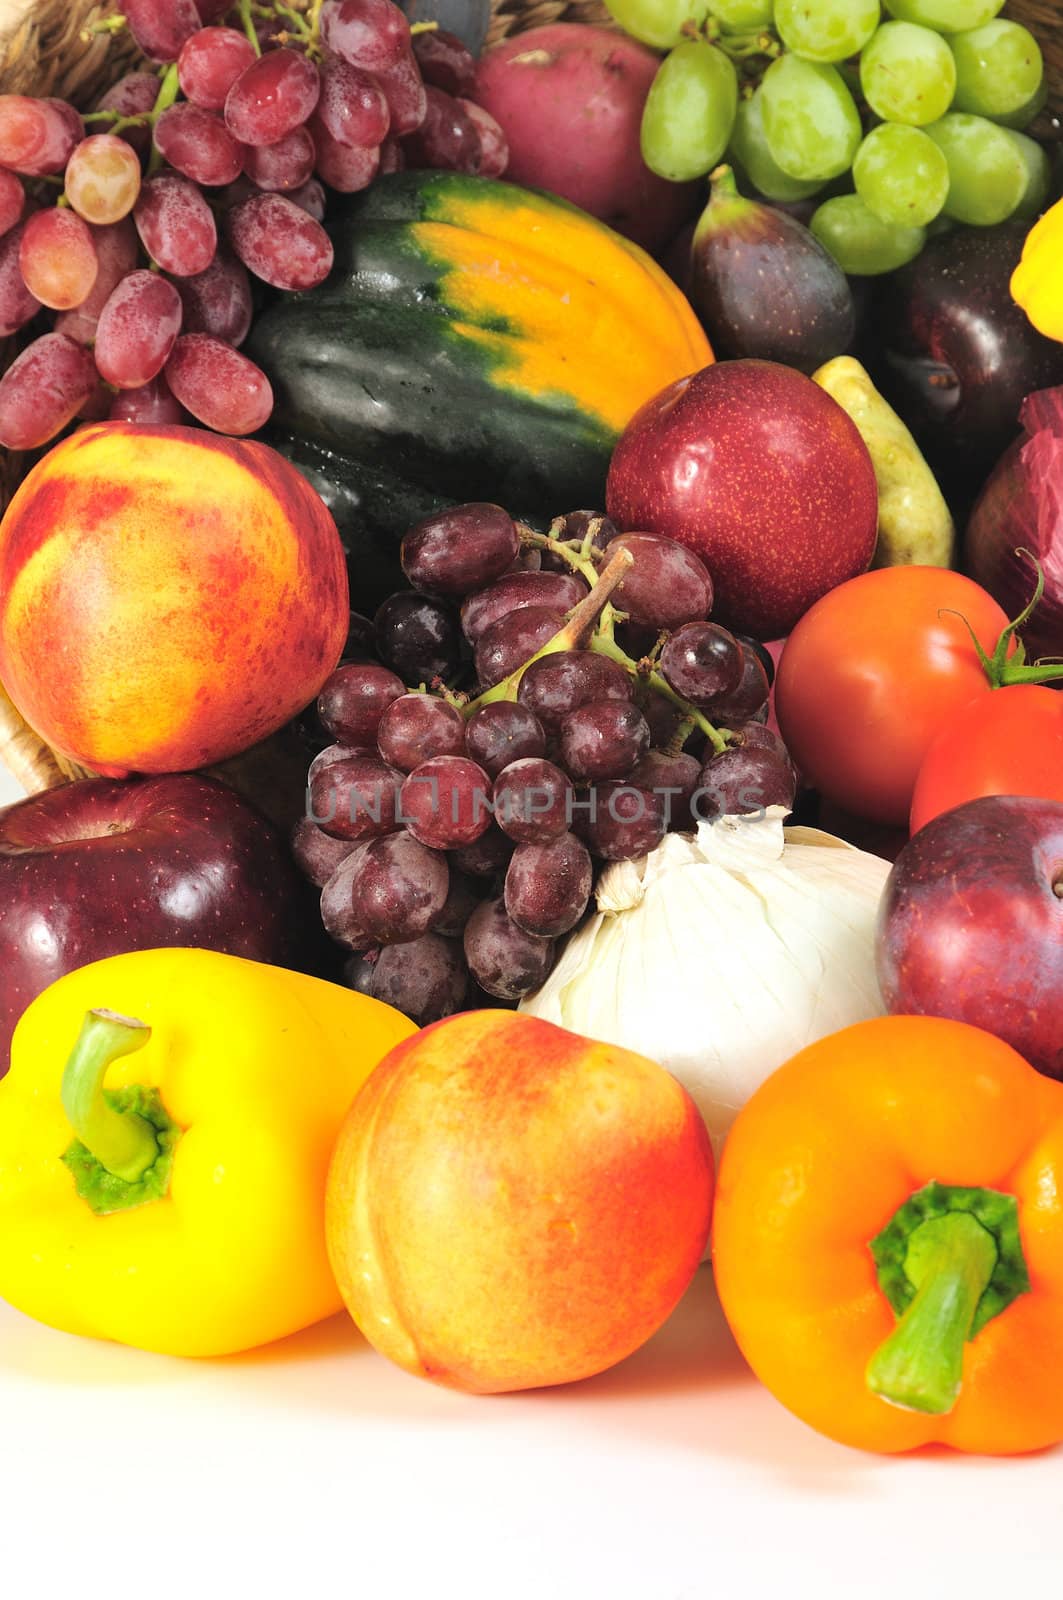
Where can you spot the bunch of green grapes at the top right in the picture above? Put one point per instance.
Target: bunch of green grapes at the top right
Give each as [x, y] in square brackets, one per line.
[897, 119]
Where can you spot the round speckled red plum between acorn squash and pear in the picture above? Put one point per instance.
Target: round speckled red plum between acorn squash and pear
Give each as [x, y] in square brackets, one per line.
[763, 474]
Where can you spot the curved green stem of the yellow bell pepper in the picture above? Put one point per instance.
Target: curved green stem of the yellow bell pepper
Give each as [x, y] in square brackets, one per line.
[121, 1142]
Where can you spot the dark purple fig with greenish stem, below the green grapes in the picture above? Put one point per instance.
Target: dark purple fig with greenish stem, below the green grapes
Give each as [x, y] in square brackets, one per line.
[764, 287]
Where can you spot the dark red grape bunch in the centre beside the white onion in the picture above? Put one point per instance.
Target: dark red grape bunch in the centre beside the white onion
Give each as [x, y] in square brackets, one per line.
[455, 836]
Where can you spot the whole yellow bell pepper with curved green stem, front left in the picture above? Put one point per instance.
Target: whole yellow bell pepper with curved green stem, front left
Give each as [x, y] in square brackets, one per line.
[182, 1207]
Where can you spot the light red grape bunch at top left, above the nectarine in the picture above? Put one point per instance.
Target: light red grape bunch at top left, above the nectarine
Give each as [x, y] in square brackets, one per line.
[146, 223]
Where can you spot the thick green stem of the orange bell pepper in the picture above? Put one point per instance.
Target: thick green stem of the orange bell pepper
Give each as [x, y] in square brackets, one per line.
[920, 1366]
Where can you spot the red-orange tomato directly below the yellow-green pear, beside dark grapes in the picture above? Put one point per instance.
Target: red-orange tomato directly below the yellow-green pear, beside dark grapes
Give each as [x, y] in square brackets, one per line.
[870, 678]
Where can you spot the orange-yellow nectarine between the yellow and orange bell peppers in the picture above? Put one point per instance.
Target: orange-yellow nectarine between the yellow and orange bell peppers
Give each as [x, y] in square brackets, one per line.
[511, 1206]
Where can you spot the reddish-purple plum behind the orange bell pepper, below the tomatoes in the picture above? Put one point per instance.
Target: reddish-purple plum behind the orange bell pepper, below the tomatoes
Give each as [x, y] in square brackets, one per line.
[973, 924]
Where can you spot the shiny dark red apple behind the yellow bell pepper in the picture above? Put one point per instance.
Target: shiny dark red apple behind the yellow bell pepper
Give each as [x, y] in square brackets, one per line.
[105, 866]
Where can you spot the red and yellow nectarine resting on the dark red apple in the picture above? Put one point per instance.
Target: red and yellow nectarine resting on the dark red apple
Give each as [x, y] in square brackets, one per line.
[169, 598]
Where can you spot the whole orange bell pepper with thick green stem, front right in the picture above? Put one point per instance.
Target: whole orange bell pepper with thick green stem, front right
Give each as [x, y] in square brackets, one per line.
[889, 1239]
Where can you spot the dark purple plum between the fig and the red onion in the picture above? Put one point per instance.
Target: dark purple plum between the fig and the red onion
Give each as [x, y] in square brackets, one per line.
[957, 356]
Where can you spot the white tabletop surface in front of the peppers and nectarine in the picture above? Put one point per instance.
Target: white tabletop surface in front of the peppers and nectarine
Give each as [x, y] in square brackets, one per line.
[316, 1468]
